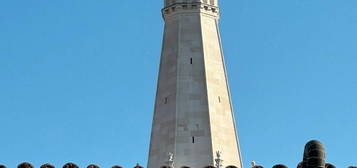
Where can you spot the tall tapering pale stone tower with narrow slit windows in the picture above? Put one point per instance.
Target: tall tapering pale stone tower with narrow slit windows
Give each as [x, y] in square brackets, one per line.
[193, 118]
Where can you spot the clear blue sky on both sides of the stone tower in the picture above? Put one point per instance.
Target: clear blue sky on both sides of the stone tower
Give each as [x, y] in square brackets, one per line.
[78, 79]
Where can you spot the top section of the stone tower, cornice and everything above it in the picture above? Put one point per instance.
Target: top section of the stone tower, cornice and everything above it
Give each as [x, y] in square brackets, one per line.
[173, 7]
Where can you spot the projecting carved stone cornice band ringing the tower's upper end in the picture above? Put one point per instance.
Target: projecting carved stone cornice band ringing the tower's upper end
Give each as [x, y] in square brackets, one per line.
[186, 8]
